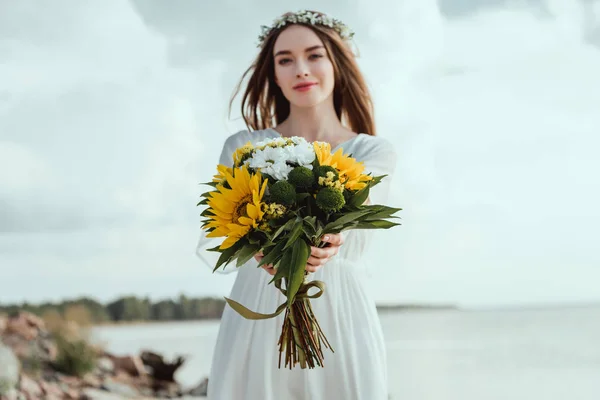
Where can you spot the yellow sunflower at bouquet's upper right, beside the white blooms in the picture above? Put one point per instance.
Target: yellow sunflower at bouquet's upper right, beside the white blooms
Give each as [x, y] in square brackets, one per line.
[349, 170]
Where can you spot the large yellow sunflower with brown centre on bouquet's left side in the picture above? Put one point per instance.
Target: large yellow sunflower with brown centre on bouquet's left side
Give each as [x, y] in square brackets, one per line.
[238, 209]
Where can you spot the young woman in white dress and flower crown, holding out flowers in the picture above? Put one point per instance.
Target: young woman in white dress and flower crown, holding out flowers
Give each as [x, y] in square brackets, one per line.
[305, 79]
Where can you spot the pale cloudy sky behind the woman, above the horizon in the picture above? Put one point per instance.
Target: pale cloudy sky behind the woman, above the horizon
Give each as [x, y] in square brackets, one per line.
[112, 113]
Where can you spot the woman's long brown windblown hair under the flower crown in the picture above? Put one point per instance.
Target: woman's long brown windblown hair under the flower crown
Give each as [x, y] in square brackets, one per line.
[263, 102]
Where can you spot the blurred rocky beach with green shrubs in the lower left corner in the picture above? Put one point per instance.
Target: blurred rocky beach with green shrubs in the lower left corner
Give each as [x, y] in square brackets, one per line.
[38, 361]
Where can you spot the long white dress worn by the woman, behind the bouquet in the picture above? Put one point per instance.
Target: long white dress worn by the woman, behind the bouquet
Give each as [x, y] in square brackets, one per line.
[246, 356]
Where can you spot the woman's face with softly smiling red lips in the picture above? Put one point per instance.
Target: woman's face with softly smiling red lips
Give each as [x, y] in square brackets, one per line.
[301, 59]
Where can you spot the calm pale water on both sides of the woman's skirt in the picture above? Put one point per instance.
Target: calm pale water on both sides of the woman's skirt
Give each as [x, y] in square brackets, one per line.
[549, 354]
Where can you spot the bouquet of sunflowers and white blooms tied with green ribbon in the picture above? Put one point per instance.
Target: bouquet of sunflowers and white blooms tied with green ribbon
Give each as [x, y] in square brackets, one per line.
[280, 197]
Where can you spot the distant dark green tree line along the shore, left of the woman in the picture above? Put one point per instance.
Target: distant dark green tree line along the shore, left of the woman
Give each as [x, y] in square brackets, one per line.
[128, 309]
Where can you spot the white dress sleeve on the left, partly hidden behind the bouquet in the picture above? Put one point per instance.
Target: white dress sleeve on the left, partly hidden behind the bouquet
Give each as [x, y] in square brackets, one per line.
[210, 258]
